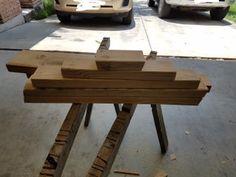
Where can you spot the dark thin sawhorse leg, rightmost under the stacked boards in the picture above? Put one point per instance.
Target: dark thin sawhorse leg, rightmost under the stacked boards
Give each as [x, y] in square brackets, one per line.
[160, 127]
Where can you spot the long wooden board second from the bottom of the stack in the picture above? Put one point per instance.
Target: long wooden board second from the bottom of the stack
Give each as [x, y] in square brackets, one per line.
[31, 90]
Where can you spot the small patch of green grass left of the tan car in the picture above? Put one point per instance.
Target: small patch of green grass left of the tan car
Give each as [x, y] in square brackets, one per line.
[47, 11]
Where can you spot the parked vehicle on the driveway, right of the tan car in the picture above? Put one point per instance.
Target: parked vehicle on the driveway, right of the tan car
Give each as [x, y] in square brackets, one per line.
[218, 8]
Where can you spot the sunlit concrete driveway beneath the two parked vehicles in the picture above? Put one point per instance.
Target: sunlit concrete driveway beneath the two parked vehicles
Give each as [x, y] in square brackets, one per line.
[185, 34]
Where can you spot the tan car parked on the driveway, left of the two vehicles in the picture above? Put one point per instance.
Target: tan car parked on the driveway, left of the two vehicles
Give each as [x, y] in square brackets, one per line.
[66, 8]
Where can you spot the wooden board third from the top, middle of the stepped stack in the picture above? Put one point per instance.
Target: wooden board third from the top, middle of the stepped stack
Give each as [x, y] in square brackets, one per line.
[51, 77]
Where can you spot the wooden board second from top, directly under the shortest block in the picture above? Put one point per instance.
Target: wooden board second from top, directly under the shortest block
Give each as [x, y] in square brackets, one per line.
[87, 69]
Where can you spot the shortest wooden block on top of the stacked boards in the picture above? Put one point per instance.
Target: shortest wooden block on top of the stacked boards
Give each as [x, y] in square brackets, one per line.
[119, 60]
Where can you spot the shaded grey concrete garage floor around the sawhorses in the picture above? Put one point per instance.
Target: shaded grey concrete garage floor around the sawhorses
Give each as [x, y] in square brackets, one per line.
[28, 130]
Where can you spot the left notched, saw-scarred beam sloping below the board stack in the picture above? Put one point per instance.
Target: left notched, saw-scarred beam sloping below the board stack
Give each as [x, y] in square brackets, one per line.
[57, 156]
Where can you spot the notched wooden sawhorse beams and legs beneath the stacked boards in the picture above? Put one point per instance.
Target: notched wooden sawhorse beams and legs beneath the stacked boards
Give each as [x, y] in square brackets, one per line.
[57, 156]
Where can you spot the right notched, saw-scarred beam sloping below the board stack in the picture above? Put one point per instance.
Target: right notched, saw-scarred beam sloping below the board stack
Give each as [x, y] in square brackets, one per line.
[107, 153]
